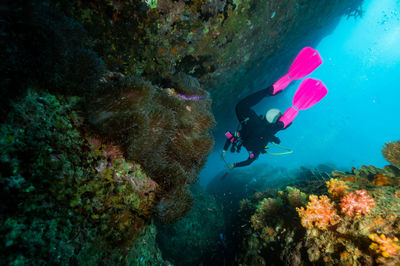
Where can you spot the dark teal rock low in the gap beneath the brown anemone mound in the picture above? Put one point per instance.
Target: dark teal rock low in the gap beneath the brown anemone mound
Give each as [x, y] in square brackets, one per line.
[197, 233]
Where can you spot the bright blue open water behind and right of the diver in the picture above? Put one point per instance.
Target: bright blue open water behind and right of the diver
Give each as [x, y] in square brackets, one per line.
[361, 69]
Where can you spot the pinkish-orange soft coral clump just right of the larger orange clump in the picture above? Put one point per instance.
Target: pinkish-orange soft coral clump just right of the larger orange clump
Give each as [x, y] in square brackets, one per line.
[357, 203]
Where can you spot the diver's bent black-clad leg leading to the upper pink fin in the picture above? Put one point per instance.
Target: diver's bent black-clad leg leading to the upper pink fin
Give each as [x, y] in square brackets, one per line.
[243, 110]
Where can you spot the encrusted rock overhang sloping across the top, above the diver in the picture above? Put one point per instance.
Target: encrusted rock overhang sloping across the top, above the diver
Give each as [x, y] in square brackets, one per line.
[224, 44]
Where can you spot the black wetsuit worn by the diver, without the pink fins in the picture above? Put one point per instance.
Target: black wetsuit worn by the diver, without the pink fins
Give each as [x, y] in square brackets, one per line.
[256, 132]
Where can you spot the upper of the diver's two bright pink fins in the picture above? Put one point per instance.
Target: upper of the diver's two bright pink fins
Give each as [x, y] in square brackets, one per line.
[306, 62]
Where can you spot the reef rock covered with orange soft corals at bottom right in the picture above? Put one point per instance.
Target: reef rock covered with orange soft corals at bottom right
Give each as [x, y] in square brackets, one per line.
[365, 229]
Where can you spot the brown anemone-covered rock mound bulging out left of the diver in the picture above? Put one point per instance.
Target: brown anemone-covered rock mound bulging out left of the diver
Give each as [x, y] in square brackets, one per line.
[160, 129]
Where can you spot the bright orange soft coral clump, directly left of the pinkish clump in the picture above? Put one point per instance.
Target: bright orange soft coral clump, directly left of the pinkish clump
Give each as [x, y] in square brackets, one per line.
[319, 213]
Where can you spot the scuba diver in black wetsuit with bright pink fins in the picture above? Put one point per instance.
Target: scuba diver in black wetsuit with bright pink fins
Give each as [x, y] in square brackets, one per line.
[255, 132]
